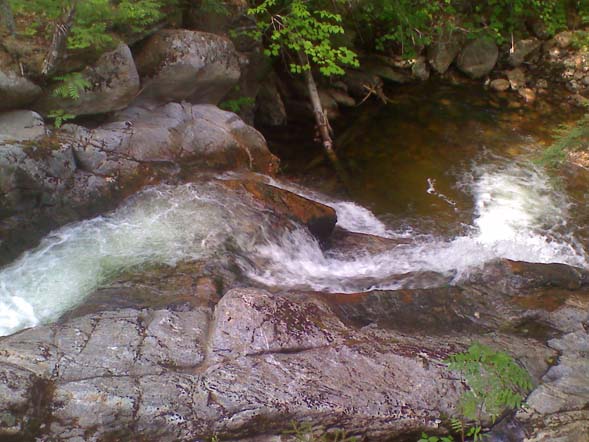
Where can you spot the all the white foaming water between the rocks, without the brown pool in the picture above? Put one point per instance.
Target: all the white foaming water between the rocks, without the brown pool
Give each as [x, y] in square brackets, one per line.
[518, 215]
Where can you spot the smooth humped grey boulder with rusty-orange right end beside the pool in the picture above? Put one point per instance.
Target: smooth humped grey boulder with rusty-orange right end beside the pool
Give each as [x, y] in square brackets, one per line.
[197, 136]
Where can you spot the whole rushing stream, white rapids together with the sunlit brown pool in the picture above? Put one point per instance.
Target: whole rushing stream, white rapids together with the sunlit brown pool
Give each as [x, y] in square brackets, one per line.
[463, 213]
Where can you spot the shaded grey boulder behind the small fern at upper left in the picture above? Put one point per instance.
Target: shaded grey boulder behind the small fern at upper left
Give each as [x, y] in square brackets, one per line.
[114, 83]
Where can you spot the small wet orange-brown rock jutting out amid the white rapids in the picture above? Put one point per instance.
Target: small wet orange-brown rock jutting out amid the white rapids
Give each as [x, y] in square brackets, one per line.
[319, 219]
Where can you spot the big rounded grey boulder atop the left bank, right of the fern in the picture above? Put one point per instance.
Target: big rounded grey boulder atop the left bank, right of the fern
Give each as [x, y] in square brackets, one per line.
[178, 65]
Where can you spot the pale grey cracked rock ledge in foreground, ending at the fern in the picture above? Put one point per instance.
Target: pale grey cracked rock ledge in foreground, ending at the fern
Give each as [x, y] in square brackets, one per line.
[248, 369]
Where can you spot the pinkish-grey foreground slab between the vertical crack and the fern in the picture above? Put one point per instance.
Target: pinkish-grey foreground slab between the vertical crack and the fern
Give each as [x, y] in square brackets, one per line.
[255, 333]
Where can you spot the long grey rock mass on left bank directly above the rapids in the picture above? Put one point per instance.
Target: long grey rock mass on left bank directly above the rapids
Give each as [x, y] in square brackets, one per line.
[75, 165]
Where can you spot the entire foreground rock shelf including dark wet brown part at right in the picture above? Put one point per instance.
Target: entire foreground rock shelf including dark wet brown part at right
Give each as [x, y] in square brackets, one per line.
[247, 367]
